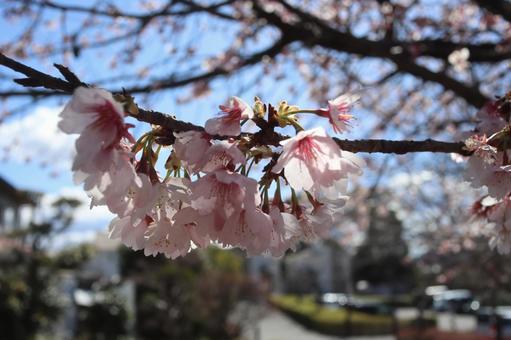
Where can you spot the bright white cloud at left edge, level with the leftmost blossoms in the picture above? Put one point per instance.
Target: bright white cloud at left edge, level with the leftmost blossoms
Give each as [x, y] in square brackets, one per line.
[36, 138]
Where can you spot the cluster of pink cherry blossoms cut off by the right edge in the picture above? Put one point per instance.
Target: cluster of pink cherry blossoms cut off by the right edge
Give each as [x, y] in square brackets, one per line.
[490, 166]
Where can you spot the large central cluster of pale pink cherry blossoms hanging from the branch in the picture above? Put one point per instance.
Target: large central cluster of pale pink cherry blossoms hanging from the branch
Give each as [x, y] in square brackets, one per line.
[207, 195]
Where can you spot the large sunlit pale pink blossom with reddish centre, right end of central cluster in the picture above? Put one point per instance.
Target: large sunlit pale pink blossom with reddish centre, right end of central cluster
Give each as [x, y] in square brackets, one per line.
[312, 161]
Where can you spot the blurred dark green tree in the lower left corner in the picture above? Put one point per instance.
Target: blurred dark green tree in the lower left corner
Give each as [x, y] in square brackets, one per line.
[28, 274]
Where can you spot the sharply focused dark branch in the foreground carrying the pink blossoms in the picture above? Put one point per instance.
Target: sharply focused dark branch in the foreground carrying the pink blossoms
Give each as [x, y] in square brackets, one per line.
[268, 137]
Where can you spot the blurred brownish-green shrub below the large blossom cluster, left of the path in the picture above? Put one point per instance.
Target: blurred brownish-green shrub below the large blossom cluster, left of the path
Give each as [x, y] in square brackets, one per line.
[189, 298]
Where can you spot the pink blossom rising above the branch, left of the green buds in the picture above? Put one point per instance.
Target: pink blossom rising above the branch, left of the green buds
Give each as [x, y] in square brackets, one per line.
[229, 121]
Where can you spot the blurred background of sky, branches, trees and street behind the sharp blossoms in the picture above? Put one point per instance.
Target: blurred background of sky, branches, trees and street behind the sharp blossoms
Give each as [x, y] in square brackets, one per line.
[406, 261]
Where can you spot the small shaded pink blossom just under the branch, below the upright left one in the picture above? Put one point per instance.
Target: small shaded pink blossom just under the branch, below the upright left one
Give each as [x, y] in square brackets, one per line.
[222, 155]
